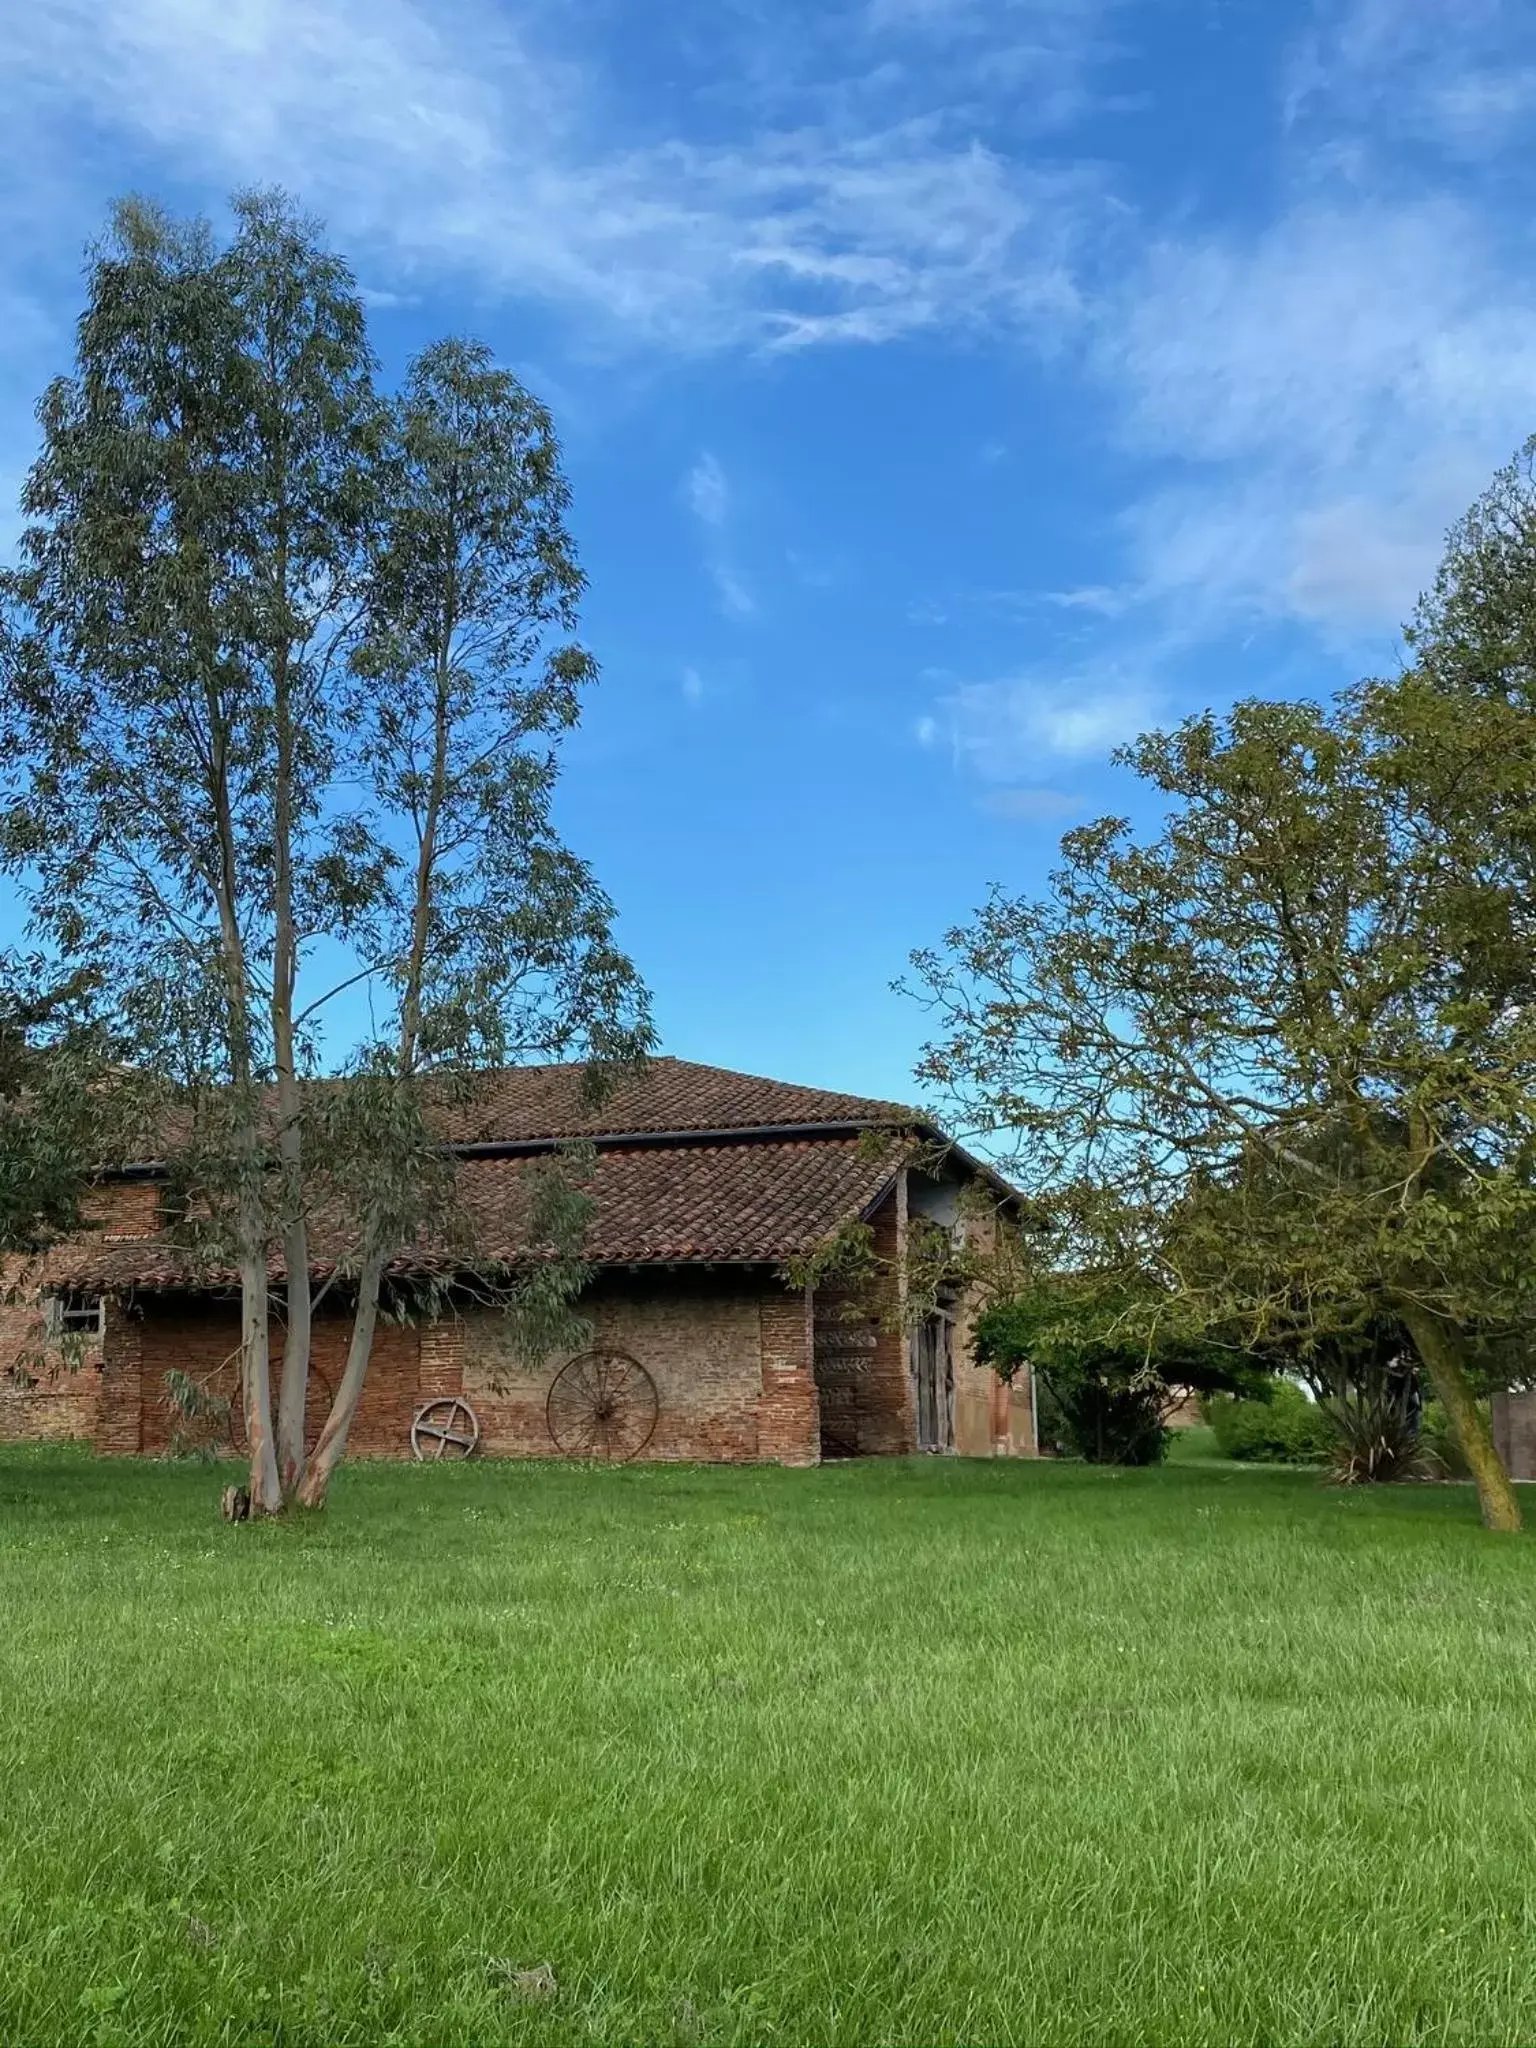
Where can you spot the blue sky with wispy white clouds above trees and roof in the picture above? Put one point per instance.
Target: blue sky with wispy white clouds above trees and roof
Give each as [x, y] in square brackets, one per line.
[949, 388]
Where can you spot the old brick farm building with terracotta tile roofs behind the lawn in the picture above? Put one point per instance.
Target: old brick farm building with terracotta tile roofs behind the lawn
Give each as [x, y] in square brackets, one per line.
[706, 1187]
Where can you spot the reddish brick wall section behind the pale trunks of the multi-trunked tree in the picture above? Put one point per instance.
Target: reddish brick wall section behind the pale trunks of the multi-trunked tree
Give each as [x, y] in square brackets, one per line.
[202, 1338]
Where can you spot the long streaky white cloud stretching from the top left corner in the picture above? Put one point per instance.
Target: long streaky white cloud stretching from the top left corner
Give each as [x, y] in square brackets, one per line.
[452, 140]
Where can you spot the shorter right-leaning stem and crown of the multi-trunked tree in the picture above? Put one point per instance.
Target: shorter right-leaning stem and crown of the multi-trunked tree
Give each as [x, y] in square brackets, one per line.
[490, 937]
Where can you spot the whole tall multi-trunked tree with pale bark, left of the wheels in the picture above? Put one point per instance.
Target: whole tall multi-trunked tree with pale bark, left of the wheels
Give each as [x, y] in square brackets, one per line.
[218, 632]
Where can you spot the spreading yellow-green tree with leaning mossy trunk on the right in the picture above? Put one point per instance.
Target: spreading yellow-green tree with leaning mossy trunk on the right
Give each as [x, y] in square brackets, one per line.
[1291, 1029]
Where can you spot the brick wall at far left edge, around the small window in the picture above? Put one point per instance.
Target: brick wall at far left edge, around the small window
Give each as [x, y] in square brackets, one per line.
[50, 1390]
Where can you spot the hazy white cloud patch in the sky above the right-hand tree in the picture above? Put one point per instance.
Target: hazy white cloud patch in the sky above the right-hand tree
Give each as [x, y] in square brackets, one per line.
[1330, 396]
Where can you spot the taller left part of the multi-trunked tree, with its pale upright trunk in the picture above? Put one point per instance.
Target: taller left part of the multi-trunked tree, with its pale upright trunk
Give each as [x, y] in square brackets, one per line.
[189, 566]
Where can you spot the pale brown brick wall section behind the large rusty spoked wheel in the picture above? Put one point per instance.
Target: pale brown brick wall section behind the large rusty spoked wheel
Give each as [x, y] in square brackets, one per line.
[726, 1351]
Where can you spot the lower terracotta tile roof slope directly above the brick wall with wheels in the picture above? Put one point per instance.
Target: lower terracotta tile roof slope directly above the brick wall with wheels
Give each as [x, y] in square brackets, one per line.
[716, 1203]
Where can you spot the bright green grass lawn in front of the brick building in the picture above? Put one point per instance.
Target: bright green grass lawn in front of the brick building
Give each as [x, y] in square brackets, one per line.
[904, 1752]
